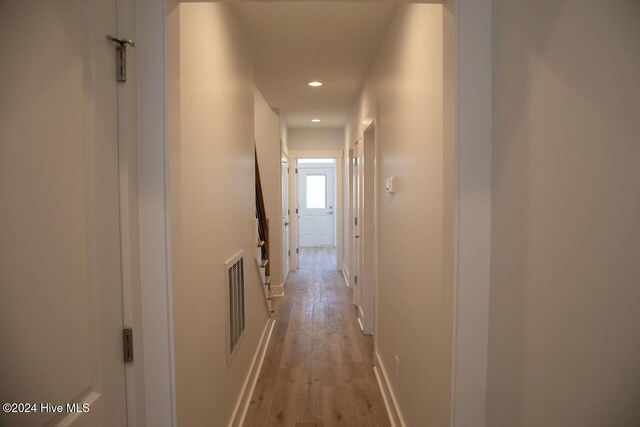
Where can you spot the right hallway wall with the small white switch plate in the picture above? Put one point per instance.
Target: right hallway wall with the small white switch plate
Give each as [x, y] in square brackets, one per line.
[415, 304]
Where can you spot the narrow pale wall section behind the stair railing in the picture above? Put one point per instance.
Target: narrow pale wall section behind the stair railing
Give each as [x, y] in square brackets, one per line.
[267, 136]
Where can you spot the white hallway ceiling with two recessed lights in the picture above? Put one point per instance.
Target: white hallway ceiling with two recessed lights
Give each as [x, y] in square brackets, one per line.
[294, 43]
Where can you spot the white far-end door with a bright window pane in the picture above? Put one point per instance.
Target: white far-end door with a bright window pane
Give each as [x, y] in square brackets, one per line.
[315, 206]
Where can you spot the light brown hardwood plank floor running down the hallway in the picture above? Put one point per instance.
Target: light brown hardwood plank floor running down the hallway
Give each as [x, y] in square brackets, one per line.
[318, 370]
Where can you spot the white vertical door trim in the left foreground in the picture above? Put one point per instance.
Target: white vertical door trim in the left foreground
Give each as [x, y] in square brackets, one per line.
[158, 22]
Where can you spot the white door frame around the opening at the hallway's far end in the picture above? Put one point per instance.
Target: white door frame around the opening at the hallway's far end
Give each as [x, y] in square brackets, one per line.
[294, 155]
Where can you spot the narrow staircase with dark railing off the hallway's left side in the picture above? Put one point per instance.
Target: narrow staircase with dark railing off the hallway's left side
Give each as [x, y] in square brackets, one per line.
[262, 240]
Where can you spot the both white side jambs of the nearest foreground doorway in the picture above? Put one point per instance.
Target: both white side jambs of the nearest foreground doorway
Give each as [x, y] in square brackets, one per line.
[468, 129]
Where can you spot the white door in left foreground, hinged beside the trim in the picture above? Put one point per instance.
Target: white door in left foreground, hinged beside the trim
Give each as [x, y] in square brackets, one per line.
[60, 279]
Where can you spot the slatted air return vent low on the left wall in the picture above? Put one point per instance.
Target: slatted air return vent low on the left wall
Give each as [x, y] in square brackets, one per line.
[235, 303]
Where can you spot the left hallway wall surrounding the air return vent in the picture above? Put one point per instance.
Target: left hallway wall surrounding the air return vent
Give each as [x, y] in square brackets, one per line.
[212, 206]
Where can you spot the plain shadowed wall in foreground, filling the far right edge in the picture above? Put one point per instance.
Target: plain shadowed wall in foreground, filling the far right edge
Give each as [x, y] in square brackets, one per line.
[565, 288]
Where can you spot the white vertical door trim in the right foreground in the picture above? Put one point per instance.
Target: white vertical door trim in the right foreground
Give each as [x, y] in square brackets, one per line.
[468, 132]
